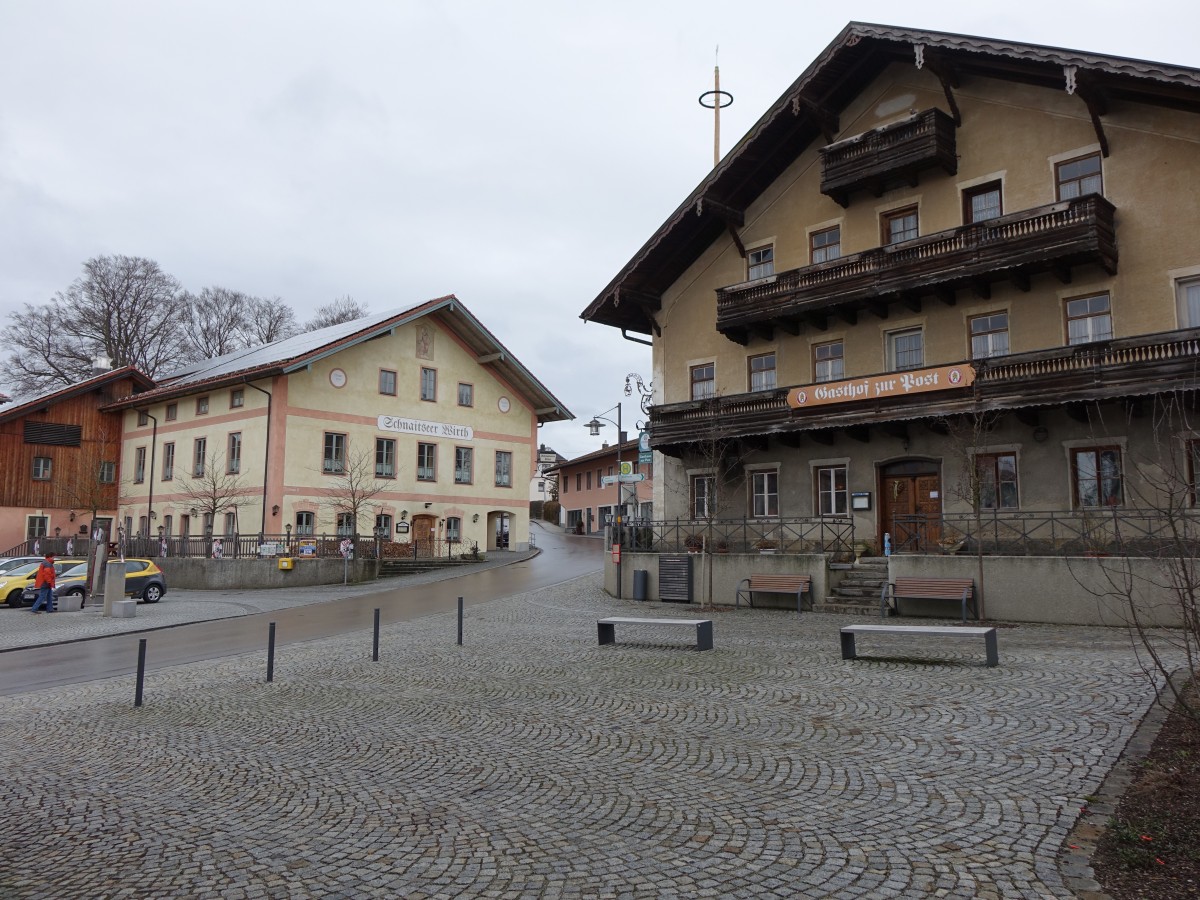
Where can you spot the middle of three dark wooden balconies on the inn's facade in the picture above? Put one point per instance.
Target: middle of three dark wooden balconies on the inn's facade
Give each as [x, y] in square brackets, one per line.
[1015, 248]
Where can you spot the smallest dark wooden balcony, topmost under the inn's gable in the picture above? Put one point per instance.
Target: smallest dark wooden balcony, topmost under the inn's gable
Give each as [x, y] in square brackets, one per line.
[893, 154]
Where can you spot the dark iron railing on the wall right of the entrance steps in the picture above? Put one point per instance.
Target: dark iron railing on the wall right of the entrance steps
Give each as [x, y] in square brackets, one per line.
[1088, 532]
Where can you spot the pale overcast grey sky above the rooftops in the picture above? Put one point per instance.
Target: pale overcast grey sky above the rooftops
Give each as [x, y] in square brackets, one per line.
[515, 154]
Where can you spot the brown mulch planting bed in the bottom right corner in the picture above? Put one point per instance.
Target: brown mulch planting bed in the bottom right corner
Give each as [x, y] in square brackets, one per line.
[1153, 845]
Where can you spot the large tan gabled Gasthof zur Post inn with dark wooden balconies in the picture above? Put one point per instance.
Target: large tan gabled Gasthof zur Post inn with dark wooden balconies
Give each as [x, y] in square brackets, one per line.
[944, 280]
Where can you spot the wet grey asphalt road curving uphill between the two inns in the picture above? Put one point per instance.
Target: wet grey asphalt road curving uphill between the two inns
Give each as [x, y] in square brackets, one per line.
[562, 557]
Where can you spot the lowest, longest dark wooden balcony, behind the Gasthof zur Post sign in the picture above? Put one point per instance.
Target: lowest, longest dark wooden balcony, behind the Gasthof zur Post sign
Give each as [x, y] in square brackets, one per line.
[1057, 377]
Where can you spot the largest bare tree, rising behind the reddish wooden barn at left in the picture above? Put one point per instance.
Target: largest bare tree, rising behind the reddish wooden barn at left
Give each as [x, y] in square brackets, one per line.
[122, 309]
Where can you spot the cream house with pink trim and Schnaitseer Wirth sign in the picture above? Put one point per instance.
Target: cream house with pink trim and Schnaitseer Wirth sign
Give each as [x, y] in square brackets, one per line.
[422, 415]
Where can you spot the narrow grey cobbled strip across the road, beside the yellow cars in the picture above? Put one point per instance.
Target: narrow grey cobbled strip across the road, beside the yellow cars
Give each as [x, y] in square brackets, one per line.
[21, 628]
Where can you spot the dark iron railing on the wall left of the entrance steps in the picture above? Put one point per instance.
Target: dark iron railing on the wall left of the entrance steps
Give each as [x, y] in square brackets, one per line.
[818, 535]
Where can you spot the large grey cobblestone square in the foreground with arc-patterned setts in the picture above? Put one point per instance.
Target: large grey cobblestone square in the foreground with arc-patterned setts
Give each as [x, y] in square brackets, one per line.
[532, 763]
